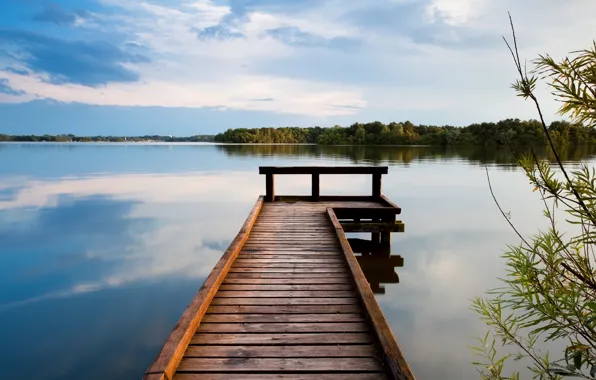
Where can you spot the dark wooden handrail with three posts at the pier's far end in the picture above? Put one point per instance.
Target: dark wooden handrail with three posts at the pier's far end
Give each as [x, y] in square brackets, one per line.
[315, 172]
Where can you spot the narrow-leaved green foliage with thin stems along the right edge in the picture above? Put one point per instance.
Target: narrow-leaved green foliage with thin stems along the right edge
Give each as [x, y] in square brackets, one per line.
[549, 292]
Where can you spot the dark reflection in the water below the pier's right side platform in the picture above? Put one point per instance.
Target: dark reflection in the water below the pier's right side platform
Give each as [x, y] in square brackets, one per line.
[377, 263]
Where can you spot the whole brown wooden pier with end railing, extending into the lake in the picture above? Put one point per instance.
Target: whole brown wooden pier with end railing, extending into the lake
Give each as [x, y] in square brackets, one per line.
[289, 299]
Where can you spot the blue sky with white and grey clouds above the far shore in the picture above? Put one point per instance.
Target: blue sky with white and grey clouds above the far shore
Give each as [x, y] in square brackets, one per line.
[133, 67]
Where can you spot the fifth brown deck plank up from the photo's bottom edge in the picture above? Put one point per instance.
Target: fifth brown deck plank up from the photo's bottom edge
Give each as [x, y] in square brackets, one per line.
[302, 327]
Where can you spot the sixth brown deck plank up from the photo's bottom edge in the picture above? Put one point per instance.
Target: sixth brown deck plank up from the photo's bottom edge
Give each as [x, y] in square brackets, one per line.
[280, 318]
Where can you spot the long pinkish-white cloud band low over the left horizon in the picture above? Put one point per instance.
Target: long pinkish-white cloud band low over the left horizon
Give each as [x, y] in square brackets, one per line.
[288, 95]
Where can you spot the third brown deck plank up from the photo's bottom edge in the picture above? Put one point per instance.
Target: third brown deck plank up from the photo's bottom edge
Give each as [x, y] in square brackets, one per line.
[331, 351]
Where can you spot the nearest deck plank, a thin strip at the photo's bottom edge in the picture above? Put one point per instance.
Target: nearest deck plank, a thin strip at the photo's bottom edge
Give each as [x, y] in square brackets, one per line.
[280, 376]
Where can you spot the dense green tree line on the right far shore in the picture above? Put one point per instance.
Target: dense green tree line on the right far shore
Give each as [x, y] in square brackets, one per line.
[513, 131]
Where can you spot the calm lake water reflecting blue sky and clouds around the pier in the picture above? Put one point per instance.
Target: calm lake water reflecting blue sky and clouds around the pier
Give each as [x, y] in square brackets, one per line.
[103, 246]
